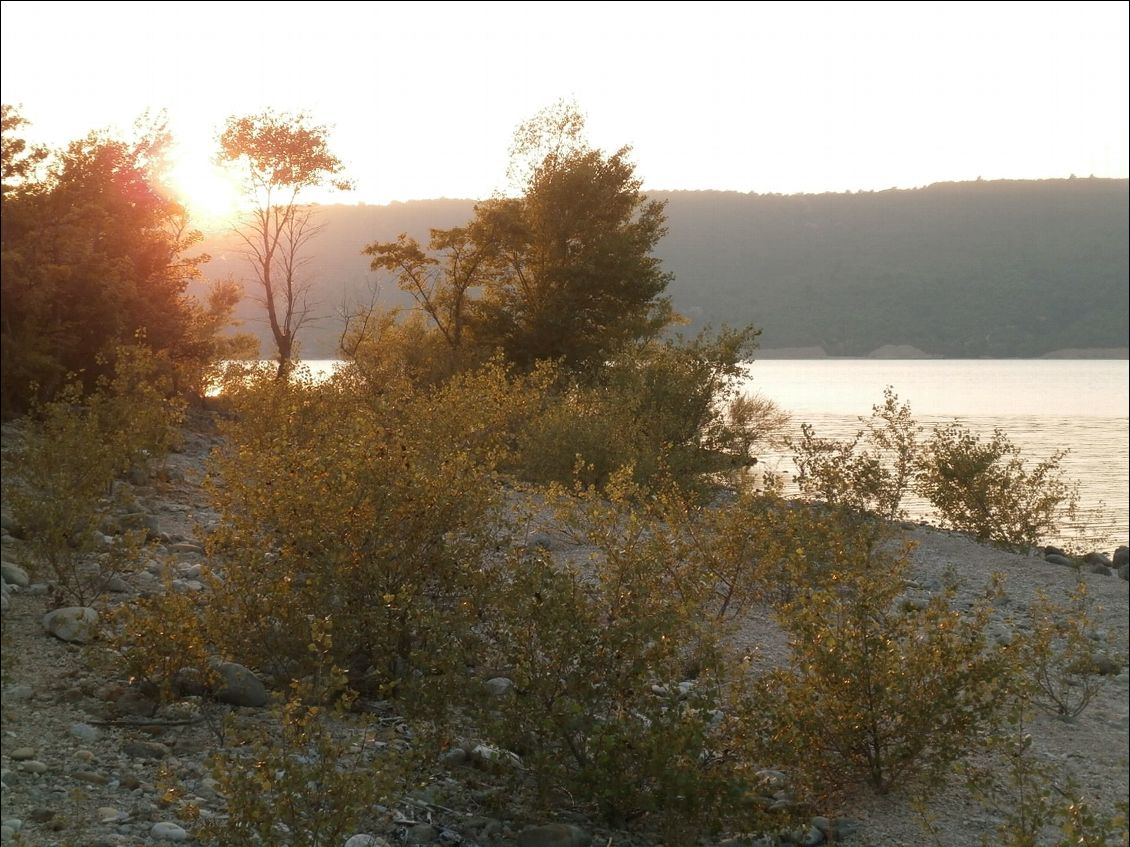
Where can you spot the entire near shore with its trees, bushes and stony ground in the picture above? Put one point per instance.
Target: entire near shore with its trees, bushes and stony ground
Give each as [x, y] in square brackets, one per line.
[498, 581]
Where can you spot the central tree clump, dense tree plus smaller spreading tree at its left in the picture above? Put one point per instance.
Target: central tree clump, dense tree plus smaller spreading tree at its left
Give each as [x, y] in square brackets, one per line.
[562, 272]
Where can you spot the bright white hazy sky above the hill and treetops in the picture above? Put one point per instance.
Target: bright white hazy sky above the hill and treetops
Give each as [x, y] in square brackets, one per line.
[767, 98]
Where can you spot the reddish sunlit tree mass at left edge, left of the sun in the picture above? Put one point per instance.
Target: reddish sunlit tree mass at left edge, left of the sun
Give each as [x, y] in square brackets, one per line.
[94, 254]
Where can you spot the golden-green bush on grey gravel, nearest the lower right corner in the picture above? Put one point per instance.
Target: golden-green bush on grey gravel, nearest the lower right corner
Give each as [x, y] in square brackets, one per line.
[877, 691]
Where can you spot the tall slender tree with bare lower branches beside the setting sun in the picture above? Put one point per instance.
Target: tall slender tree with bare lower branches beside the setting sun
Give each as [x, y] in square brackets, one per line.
[281, 156]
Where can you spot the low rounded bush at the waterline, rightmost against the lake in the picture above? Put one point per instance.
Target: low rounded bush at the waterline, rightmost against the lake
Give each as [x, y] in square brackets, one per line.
[987, 490]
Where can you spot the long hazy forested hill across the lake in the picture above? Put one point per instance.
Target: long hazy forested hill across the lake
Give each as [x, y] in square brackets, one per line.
[973, 269]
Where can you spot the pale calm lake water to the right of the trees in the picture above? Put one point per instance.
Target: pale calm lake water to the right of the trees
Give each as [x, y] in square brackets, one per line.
[1044, 406]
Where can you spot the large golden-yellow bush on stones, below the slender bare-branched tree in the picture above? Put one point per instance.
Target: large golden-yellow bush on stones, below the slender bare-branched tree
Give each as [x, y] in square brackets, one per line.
[370, 508]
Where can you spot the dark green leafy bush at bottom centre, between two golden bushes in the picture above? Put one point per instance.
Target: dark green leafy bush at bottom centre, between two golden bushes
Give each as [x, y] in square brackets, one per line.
[598, 656]
